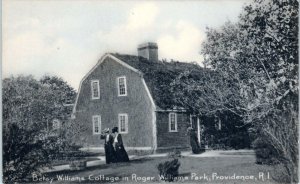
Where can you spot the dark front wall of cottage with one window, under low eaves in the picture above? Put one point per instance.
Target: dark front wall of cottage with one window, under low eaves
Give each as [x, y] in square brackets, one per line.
[166, 139]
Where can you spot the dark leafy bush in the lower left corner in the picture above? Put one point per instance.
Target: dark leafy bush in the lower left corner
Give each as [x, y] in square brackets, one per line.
[24, 152]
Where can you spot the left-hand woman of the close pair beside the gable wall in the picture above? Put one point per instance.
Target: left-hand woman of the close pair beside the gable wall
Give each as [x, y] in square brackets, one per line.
[110, 154]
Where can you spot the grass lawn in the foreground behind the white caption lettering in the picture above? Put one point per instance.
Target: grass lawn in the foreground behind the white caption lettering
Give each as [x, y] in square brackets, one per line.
[146, 167]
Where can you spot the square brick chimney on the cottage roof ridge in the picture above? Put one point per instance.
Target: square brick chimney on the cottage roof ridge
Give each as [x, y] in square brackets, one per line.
[149, 51]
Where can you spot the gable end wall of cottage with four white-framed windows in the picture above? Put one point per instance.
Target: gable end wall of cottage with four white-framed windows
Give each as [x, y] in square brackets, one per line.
[136, 104]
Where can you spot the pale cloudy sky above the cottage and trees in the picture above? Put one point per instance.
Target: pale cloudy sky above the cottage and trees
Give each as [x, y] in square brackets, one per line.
[67, 37]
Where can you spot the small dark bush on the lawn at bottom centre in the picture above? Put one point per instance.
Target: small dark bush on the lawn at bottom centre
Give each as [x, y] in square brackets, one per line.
[169, 170]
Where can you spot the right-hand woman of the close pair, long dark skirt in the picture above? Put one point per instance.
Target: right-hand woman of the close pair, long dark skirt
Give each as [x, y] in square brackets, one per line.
[121, 153]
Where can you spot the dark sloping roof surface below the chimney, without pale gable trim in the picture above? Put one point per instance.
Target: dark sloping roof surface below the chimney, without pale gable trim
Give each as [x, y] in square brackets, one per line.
[159, 76]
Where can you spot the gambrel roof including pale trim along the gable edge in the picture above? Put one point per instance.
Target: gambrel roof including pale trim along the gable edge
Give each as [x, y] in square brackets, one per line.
[157, 76]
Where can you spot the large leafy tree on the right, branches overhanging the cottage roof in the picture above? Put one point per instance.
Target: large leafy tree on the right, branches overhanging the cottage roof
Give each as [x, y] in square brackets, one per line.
[254, 64]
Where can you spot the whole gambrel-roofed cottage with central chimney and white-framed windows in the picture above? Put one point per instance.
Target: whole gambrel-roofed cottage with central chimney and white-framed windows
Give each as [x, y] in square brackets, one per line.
[133, 93]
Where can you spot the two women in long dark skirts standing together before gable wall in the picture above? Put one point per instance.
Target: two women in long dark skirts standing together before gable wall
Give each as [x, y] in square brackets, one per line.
[113, 146]
